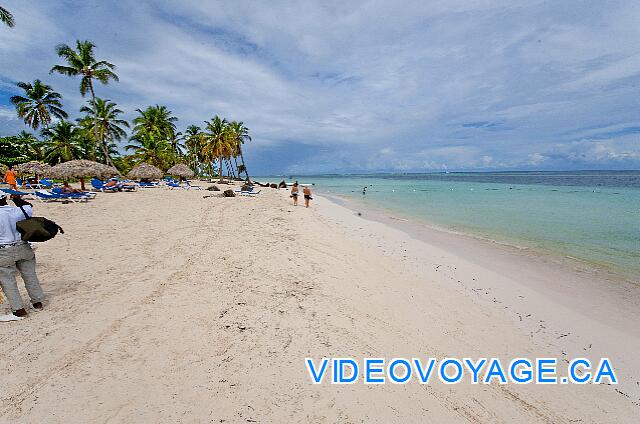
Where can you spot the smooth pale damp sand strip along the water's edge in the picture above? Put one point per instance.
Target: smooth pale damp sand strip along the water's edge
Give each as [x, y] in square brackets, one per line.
[577, 305]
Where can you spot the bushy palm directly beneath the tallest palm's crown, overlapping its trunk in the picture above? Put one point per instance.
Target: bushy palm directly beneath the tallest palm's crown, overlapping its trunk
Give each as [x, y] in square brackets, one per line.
[102, 120]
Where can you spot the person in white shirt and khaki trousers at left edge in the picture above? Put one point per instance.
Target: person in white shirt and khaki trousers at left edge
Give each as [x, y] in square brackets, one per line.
[17, 255]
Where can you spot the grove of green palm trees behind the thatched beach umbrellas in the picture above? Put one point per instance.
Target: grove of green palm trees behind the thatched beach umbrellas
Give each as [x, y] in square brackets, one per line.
[99, 132]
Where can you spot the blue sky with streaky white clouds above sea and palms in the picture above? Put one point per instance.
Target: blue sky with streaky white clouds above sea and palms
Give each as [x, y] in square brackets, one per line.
[361, 86]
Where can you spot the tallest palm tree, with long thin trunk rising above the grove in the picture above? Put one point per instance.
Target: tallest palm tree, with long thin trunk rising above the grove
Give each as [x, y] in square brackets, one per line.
[83, 62]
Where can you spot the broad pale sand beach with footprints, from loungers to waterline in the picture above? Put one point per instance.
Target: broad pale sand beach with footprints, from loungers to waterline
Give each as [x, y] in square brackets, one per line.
[164, 306]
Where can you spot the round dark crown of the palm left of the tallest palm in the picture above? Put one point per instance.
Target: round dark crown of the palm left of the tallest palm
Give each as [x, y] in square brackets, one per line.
[38, 104]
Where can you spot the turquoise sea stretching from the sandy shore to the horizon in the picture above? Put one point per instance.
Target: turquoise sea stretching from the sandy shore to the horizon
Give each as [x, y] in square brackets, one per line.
[592, 216]
